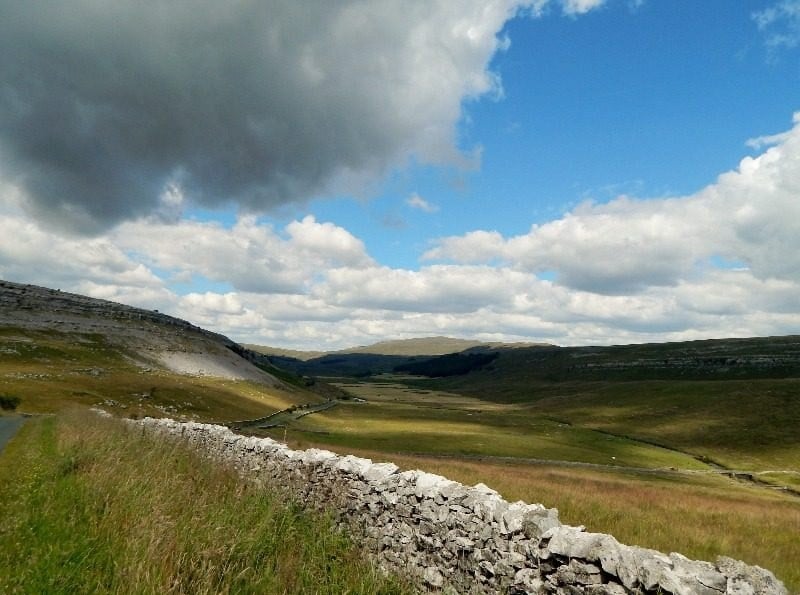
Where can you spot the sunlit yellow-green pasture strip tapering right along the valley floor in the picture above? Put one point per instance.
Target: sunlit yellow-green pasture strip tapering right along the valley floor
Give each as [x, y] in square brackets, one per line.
[399, 419]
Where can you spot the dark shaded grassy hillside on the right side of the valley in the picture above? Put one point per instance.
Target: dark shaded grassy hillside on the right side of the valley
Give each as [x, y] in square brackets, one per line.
[744, 416]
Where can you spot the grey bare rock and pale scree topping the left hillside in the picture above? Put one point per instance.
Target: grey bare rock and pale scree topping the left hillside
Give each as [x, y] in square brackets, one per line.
[151, 339]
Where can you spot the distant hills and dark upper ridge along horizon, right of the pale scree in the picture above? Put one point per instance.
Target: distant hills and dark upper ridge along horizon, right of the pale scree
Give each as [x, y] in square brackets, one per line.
[494, 365]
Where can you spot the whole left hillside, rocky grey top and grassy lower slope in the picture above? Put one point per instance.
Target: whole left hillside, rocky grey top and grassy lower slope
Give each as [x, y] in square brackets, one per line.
[58, 348]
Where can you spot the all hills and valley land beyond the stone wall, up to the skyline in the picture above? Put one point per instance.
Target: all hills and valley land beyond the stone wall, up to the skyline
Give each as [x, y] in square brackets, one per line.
[690, 447]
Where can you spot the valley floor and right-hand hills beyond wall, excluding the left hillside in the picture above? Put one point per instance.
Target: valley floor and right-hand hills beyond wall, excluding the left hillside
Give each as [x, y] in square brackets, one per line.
[692, 446]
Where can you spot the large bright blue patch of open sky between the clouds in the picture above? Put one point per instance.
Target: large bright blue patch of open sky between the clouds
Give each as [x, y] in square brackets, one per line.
[651, 100]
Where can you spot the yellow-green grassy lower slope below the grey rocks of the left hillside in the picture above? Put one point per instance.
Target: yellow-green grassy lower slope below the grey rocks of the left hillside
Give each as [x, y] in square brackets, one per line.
[50, 370]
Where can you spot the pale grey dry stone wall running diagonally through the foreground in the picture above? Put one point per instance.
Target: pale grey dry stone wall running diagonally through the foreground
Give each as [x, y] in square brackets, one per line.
[458, 539]
